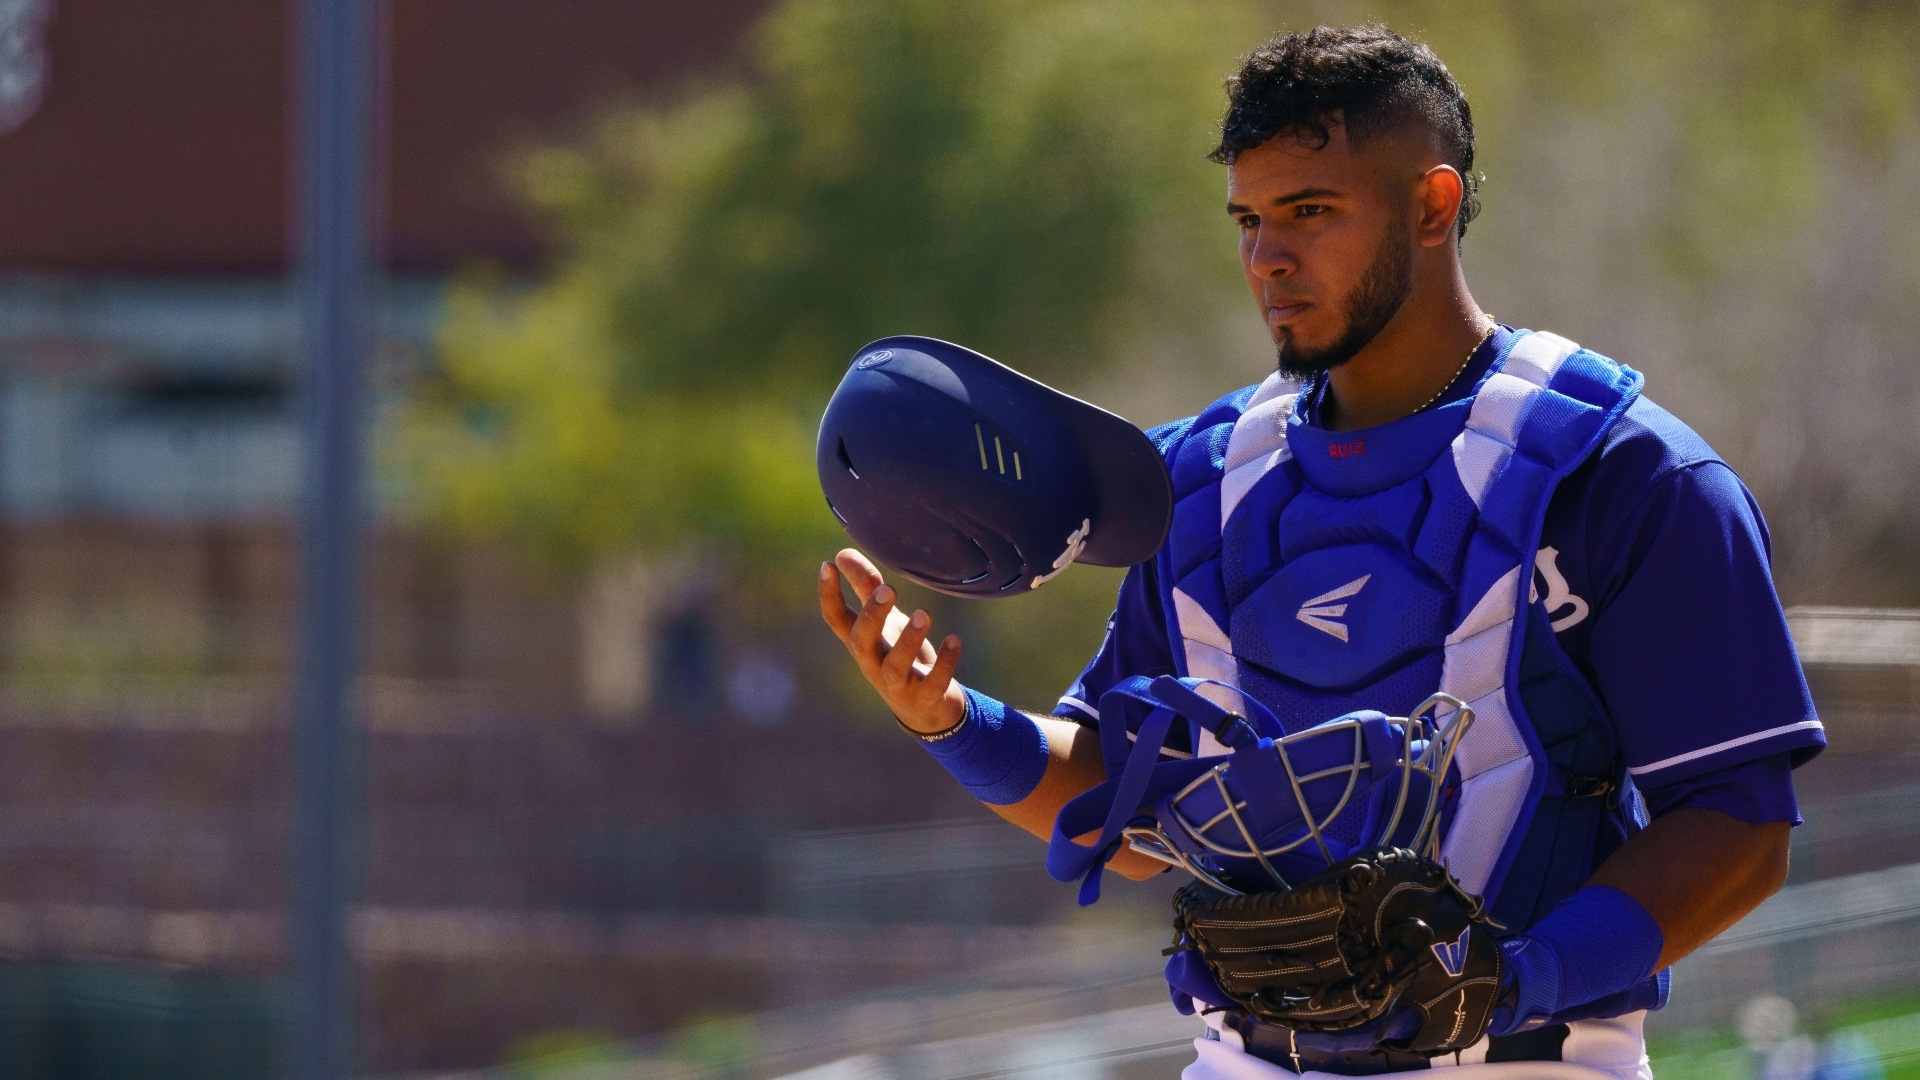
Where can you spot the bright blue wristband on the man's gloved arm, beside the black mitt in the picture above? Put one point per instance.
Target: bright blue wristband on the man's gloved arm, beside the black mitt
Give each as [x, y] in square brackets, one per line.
[1596, 945]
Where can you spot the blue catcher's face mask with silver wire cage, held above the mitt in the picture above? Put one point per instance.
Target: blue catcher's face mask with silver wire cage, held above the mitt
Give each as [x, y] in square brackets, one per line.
[1280, 808]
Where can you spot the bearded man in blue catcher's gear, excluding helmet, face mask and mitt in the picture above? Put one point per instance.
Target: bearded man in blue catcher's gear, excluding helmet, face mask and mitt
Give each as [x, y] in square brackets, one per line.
[1362, 543]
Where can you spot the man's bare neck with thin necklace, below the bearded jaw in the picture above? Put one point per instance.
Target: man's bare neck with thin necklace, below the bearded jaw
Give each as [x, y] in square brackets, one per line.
[1410, 362]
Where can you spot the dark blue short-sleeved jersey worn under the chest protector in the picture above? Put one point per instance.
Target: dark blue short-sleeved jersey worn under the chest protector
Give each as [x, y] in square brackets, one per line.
[1654, 572]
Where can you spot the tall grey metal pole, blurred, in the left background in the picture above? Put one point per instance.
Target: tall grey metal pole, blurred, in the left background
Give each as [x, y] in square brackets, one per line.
[335, 335]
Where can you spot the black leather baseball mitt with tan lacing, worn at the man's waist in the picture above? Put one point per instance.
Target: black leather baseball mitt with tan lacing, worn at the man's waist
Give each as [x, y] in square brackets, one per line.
[1376, 935]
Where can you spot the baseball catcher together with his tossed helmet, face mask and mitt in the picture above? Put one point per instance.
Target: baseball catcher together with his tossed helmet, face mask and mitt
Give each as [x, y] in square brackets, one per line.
[1449, 668]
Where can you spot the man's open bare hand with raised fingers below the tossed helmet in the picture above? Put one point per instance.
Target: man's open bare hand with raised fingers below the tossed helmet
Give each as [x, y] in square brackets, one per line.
[915, 679]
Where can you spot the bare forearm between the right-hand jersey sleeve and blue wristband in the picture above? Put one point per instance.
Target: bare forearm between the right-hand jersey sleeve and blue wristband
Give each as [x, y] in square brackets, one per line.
[1698, 871]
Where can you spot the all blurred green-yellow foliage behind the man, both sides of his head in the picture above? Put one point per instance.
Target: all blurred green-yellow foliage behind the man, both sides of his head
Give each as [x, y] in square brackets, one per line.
[1721, 197]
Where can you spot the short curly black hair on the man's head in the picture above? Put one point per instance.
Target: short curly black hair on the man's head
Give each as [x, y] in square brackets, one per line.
[1368, 80]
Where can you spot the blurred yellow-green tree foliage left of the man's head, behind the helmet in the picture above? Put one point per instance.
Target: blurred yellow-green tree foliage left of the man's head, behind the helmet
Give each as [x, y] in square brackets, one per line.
[1005, 174]
